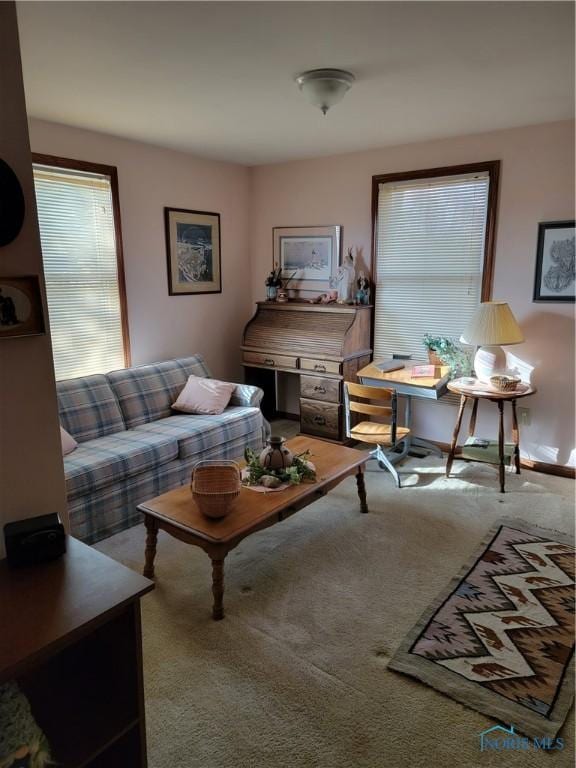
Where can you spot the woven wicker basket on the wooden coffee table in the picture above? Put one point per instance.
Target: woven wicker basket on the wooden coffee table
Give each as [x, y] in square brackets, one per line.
[215, 487]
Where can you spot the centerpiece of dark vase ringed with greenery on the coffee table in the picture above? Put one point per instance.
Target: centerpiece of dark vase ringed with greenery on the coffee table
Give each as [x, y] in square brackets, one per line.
[276, 468]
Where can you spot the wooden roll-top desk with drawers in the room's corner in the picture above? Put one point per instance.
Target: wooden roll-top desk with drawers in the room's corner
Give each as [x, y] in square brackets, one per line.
[323, 344]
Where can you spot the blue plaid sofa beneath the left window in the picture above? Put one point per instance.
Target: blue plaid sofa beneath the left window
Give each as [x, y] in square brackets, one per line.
[132, 446]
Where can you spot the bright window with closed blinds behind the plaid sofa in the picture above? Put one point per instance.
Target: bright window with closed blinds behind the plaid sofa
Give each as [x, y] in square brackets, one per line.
[79, 222]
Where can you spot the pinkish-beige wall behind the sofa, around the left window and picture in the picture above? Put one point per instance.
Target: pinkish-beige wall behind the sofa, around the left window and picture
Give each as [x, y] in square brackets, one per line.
[149, 178]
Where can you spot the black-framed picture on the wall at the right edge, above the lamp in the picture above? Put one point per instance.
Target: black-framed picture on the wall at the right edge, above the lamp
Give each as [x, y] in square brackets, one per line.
[555, 275]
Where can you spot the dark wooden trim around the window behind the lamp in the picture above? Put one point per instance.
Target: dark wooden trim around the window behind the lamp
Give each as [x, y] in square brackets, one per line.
[493, 169]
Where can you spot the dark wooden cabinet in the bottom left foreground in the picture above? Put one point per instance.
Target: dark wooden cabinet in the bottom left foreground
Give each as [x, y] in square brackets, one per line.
[71, 637]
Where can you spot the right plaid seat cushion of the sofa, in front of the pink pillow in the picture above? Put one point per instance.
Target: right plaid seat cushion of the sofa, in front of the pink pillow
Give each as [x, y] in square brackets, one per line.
[197, 434]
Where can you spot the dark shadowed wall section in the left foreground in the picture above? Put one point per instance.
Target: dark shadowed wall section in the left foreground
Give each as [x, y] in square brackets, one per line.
[31, 473]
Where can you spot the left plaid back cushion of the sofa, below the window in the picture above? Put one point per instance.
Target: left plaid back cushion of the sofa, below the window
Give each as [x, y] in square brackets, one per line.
[88, 408]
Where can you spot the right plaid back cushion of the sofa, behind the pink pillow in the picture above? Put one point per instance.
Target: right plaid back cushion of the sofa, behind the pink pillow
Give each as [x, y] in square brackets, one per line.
[146, 393]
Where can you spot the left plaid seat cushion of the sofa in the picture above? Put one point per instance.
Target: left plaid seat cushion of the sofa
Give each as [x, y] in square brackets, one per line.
[98, 463]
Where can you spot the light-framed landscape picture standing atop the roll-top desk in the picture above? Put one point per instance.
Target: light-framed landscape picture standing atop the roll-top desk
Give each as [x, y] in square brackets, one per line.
[308, 256]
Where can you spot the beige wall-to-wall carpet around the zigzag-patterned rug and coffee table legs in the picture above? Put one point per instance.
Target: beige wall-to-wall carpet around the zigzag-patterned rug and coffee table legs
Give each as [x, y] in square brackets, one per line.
[295, 676]
